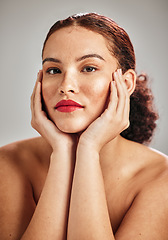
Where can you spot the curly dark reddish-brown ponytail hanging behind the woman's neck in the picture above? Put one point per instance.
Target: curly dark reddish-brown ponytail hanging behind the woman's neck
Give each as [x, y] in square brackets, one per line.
[143, 115]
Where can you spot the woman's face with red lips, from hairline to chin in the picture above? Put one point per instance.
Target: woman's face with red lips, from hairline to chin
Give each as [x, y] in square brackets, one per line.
[77, 66]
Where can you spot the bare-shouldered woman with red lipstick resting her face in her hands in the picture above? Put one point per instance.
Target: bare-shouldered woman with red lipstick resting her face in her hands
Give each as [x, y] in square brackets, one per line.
[88, 176]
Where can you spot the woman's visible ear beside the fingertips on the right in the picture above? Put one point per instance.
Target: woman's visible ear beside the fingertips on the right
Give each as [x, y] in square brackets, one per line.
[130, 80]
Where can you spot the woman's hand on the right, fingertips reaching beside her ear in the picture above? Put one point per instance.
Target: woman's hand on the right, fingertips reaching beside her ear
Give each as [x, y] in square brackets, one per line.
[113, 120]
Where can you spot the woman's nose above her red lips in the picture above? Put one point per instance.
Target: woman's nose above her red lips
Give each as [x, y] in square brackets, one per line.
[69, 84]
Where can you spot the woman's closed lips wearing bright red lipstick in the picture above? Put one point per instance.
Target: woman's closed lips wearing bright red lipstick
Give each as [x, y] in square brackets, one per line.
[67, 106]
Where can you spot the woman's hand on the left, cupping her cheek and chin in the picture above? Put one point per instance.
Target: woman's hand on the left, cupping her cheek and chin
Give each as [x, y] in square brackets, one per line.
[45, 126]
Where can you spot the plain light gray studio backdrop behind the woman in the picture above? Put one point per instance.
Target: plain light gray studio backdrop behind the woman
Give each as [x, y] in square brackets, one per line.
[23, 27]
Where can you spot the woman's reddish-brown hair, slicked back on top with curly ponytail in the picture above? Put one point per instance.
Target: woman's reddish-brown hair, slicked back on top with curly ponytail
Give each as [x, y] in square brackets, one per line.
[142, 113]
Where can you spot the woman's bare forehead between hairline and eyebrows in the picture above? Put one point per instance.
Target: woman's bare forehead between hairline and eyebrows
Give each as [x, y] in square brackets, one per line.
[75, 40]
